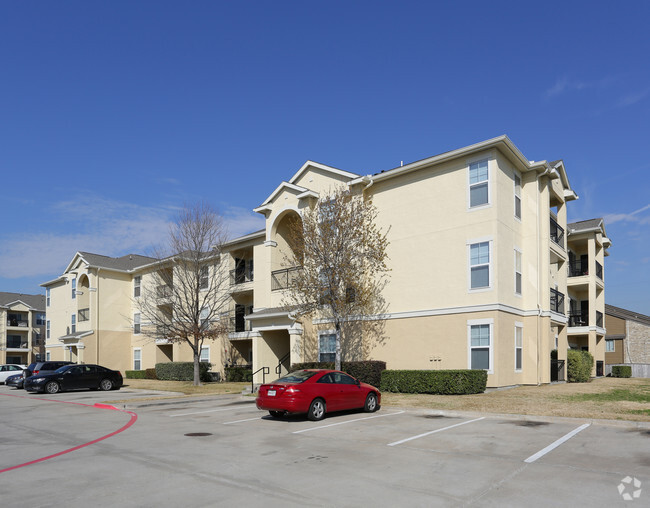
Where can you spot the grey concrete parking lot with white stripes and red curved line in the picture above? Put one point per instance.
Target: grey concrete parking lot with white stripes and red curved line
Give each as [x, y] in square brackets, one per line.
[221, 450]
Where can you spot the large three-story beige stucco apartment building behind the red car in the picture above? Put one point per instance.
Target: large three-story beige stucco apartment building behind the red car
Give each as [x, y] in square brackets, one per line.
[480, 256]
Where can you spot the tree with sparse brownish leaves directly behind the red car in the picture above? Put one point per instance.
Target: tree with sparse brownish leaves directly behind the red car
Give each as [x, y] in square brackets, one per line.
[342, 252]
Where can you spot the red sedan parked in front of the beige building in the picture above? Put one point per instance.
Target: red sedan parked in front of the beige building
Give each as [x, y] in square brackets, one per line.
[316, 392]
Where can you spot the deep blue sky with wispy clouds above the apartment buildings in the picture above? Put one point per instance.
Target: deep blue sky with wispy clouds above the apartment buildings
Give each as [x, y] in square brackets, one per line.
[115, 114]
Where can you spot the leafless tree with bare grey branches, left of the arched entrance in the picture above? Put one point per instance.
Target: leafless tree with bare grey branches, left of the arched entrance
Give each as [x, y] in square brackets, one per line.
[184, 294]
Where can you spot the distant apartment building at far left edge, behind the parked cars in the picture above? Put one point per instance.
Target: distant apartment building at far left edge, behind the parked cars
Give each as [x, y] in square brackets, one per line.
[22, 328]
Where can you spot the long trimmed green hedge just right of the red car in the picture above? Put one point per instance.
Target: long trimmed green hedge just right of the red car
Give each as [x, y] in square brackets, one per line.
[439, 382]
